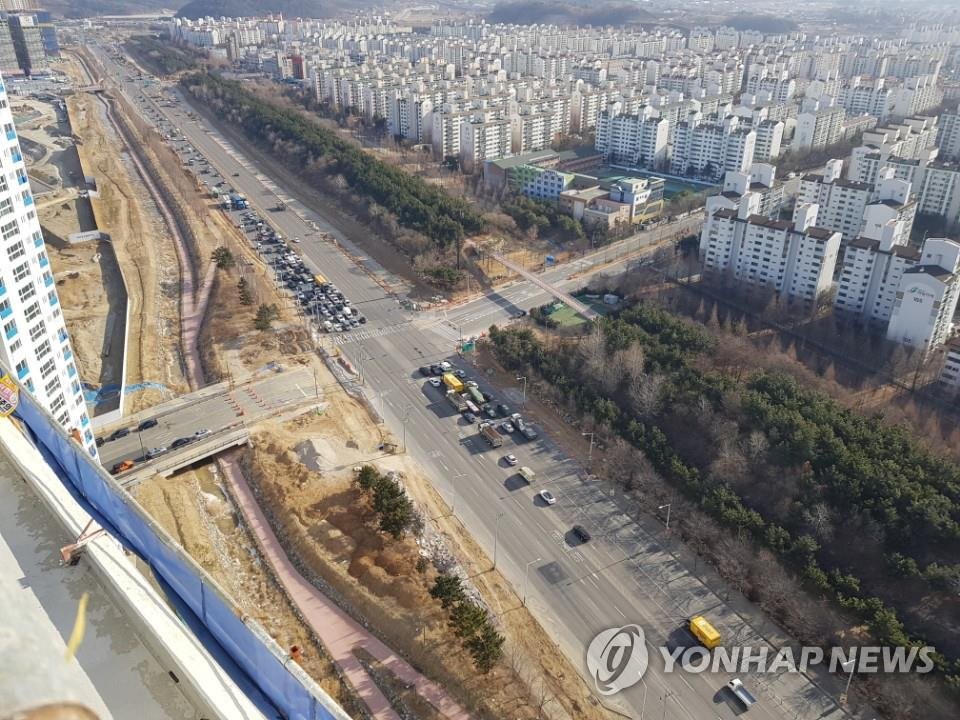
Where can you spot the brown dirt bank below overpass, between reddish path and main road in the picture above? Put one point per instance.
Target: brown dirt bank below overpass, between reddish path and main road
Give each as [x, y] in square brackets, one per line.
[303, 471]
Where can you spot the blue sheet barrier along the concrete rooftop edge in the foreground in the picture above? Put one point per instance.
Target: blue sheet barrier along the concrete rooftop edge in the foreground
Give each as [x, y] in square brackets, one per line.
[244, 642]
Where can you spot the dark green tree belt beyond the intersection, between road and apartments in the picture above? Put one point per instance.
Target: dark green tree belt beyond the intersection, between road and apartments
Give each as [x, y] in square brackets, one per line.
[302, 142]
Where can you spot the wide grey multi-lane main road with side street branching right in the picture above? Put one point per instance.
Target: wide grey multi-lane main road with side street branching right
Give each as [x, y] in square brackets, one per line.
[626, 574]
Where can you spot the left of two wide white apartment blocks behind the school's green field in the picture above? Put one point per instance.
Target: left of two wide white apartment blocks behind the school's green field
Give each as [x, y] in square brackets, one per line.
[633, 139]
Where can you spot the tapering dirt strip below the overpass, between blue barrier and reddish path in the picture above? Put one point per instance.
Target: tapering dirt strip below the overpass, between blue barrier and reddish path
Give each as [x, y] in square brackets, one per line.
[197, 511]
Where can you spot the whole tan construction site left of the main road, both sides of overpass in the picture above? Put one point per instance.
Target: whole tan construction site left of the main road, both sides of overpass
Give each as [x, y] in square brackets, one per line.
[279, 525]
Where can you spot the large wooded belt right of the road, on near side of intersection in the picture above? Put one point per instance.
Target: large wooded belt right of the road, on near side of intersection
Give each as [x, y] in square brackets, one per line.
[766, 458]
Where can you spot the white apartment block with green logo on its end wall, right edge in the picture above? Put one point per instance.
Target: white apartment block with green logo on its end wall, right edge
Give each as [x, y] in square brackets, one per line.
[926, 300]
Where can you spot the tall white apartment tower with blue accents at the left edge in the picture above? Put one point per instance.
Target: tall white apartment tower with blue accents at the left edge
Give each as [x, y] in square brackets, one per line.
[34, 344]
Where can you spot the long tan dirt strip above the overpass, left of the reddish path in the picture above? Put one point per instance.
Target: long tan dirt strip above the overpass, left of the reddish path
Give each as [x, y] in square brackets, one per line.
[144, 252]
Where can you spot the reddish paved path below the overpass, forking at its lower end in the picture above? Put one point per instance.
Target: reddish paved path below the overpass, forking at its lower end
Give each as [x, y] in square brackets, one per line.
[339, 633]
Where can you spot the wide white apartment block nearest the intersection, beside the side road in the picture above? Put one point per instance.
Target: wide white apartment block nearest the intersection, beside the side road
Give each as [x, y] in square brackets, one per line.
[796, 259]
